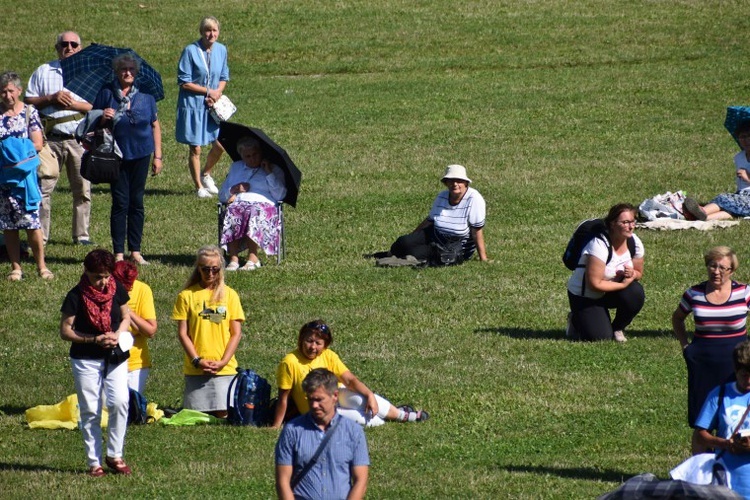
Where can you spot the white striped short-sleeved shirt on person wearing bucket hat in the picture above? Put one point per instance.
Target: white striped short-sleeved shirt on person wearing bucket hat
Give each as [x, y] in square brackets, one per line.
[455, 220]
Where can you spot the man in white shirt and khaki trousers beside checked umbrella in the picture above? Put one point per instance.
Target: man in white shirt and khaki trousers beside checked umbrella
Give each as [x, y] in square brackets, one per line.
[61, 112]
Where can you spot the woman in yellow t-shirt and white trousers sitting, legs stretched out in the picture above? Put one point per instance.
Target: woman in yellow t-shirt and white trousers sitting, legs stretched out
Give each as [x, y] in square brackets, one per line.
[356, 402]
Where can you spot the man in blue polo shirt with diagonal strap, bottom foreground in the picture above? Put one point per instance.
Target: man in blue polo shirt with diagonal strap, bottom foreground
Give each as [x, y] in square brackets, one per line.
[342, 468]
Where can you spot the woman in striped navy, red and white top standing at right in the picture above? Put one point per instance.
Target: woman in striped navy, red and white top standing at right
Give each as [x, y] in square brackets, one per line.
[719, 306]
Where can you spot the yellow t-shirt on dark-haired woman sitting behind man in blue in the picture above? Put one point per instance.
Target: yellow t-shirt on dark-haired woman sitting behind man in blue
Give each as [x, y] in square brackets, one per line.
[294, 368]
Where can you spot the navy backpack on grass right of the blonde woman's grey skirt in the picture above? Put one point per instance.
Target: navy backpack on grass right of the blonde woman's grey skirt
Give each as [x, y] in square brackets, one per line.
[249, 399]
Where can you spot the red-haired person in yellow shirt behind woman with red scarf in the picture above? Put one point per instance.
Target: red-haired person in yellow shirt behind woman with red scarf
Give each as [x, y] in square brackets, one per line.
[142, 315]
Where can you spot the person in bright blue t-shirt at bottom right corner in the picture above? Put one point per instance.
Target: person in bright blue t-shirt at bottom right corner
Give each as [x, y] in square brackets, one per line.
[725, 411]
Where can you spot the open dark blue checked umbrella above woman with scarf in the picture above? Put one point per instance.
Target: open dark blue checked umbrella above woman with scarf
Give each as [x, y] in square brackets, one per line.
[87, 71]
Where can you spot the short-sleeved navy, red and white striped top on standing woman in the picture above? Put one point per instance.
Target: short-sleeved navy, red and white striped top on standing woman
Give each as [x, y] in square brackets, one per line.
[716, 321]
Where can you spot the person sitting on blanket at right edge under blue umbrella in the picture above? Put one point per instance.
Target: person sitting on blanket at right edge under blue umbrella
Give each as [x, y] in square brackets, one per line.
[728, 205]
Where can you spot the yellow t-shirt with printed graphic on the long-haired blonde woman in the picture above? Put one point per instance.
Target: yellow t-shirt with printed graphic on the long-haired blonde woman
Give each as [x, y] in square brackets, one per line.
[208, 324]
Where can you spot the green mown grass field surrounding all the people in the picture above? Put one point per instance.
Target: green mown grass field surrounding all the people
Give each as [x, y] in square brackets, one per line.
[559, 109]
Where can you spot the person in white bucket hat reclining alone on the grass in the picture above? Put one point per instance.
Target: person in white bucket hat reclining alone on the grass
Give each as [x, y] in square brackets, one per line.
[454, 228]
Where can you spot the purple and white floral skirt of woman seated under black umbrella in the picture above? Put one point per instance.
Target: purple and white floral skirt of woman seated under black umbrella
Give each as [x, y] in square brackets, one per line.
[258, 221]
